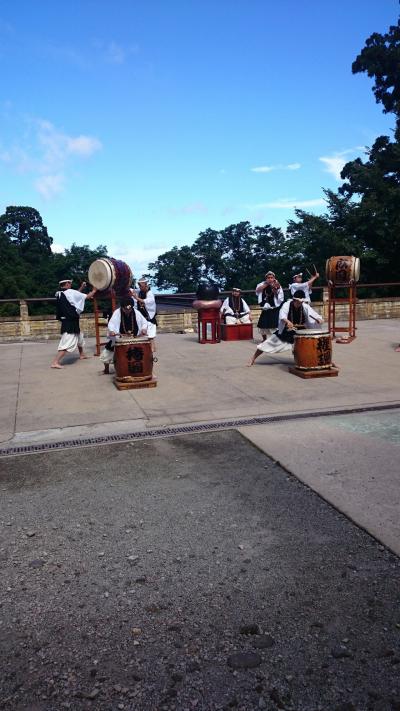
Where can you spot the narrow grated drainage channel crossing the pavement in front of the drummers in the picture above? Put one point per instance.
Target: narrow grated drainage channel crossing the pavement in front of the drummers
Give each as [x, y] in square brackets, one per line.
[188, 429]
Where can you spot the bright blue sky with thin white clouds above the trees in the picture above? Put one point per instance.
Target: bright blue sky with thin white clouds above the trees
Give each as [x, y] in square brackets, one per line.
[139, 124]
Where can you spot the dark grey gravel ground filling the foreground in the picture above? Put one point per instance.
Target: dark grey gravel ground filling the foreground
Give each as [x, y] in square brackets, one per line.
[188, 573]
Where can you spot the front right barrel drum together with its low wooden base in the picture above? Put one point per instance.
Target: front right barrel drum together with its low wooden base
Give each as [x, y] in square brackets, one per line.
[313, 354]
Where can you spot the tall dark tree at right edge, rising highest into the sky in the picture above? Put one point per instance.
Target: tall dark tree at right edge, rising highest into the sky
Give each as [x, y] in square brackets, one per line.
[375, 184]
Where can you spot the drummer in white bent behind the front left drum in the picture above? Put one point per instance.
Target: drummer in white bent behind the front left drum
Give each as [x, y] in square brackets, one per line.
[125, 321]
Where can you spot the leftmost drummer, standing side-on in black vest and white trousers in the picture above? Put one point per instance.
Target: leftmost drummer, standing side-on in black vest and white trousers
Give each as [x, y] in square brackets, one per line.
[69, 306]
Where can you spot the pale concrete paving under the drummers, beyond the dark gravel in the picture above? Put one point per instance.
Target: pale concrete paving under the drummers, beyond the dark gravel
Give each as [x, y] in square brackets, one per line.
[350, 459]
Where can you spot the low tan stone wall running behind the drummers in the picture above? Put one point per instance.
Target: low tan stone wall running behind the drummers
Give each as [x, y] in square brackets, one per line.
[39, 328]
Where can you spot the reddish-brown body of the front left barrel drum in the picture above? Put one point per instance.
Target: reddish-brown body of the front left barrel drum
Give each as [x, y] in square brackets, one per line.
[133, 359]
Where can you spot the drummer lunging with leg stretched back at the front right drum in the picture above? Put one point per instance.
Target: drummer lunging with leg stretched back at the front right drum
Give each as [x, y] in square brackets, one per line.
[294, 314]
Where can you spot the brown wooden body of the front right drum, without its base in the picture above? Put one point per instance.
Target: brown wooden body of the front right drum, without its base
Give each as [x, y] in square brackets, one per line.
[313, 350]
